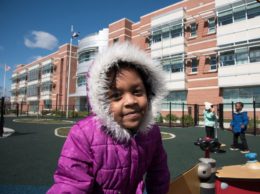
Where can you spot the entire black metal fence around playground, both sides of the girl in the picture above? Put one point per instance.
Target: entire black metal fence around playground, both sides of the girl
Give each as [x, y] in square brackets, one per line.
[171, 114]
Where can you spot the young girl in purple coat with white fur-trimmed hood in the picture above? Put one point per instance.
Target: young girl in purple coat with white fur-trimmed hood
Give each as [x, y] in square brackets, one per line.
[113, 150]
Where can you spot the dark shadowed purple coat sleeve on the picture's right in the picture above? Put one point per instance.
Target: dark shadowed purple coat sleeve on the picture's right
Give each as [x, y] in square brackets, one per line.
[158, 175]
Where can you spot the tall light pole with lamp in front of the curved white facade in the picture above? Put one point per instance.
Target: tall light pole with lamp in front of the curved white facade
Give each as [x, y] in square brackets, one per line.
[74, 35]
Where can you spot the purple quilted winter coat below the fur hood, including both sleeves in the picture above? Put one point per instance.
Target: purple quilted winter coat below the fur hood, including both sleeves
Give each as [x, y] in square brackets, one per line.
[92, 162]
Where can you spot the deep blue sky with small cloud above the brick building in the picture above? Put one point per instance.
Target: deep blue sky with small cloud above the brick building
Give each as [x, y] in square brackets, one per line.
[33, 28]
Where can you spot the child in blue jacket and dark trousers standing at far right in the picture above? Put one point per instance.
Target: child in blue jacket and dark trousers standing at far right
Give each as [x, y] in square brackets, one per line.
[239, 125]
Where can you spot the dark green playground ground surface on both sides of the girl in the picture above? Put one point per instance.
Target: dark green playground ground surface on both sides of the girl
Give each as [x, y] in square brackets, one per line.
[29, 156]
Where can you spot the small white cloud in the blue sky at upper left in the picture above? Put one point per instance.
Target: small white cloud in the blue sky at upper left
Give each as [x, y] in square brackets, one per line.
[40, 39]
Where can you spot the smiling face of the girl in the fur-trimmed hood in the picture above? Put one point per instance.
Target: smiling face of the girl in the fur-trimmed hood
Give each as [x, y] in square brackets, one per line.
[128, 98]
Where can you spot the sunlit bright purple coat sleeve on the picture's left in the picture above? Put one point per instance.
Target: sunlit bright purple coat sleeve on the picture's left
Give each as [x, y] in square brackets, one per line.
[74, 172]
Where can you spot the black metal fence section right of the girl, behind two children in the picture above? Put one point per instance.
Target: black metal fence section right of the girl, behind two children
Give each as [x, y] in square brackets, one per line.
[183, 115]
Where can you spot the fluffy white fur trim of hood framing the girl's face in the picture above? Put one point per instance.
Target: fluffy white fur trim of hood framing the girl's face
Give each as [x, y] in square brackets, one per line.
[97, 86]
